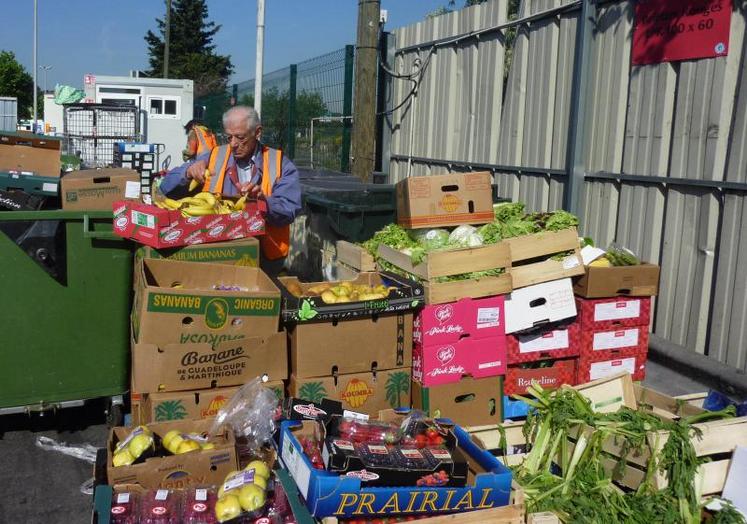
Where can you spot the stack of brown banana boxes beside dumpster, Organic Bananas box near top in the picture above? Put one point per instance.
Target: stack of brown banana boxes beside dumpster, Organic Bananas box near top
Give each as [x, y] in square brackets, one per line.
[205, 320]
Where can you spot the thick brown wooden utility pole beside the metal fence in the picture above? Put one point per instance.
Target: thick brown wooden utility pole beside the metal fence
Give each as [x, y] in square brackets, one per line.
[364, 101]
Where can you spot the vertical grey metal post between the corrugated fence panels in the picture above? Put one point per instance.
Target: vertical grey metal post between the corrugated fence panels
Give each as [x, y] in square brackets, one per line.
[575, 162]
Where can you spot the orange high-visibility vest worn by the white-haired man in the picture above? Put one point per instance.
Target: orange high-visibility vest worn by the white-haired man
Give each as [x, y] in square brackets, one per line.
[276, 240]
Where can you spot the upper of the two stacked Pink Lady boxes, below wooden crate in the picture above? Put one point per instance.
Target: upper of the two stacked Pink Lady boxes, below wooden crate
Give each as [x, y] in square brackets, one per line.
[448, 323]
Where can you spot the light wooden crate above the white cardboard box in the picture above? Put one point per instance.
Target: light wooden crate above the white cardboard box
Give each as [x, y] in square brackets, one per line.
[544, 245]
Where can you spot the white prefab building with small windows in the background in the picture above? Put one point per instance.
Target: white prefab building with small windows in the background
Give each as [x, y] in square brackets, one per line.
[165, 105]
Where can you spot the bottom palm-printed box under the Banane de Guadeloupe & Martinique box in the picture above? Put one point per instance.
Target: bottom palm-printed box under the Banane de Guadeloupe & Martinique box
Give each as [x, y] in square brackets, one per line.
[194, 404]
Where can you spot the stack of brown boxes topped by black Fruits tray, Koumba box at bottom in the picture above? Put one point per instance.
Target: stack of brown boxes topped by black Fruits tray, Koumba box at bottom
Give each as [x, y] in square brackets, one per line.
[357, 353]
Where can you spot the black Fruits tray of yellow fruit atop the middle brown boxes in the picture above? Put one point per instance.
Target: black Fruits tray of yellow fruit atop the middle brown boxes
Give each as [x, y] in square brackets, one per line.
[368, 294]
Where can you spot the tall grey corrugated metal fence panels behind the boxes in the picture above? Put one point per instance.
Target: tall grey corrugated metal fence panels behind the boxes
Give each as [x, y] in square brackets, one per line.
[676, 122]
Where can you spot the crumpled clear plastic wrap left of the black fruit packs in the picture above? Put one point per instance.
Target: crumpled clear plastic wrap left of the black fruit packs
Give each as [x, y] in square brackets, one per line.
[250, 413]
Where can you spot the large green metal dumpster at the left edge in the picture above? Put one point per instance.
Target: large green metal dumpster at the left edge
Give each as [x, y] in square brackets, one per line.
[65, 337]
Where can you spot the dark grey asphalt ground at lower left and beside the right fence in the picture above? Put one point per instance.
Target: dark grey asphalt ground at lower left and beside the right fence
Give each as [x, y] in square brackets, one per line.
[44, 487]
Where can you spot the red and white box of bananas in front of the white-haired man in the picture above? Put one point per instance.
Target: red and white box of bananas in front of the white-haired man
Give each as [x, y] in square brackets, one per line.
[163, 228]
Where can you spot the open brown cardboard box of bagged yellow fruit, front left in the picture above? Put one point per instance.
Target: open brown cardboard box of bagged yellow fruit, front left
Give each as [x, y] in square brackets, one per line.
[170, 455]
